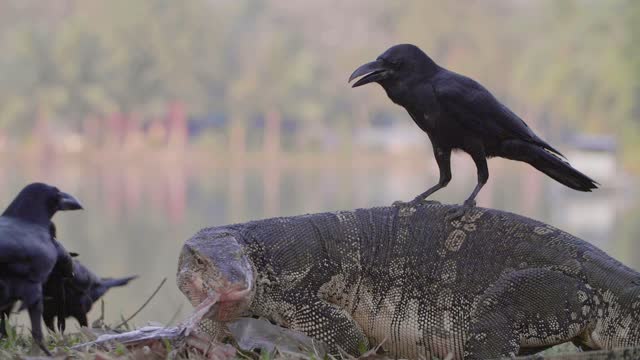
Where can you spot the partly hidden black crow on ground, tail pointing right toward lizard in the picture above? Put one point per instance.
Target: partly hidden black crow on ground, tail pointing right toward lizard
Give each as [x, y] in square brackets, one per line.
[64, 297]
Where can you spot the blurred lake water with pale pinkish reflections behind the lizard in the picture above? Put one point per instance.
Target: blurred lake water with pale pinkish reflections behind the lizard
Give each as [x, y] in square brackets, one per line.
[138, 216]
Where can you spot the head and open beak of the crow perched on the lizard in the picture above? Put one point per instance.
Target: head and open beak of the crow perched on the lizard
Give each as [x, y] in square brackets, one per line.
[395, 64]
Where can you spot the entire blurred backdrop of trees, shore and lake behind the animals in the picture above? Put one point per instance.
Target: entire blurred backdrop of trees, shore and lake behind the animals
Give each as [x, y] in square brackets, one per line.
[165, 117]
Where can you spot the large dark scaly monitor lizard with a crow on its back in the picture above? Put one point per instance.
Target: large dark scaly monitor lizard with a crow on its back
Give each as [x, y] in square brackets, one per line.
[487, 285]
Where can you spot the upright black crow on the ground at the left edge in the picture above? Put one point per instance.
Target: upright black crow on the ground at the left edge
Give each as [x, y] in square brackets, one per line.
[28, 252]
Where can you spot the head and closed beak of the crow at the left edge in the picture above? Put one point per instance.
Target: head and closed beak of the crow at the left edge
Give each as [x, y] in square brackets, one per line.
[38, 203]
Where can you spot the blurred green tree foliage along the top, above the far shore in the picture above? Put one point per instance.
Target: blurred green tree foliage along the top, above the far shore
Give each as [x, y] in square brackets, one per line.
[70, 62]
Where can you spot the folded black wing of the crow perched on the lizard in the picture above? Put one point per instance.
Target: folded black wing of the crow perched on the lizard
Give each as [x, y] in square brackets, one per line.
[477, 110]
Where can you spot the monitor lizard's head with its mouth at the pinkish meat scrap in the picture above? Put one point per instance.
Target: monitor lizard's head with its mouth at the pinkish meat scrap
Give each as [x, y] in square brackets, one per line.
[216, 265]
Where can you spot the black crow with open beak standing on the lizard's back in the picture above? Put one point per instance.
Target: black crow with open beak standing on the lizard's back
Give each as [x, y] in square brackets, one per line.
[457, 113]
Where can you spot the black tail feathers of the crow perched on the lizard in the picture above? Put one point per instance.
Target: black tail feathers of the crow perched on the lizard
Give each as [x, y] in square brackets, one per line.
[550, 164]
